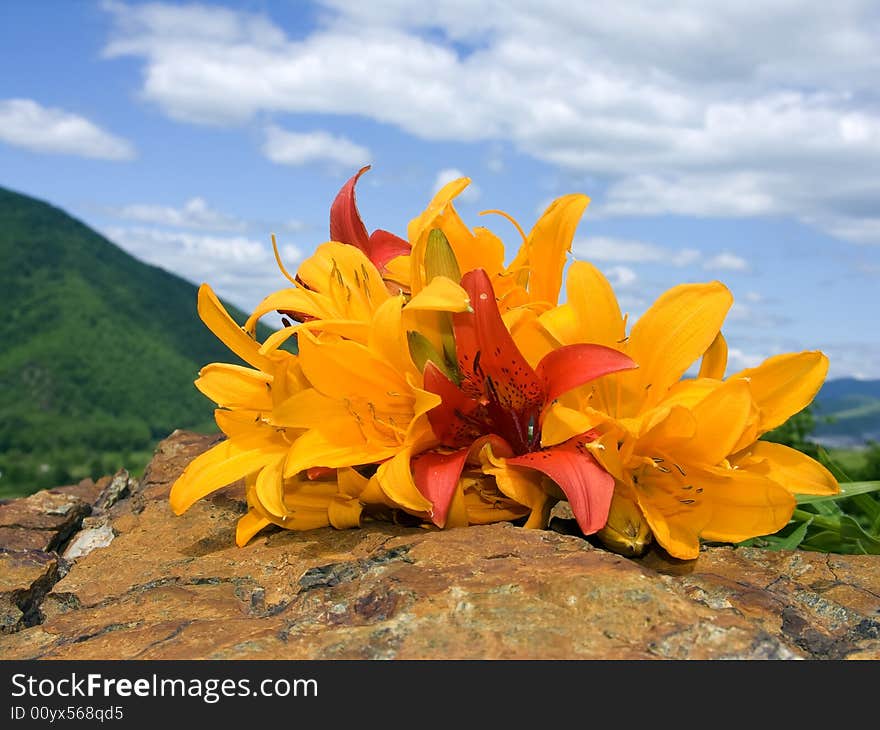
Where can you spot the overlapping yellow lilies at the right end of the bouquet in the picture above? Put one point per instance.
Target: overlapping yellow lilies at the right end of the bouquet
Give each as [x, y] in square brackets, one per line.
[685, 452]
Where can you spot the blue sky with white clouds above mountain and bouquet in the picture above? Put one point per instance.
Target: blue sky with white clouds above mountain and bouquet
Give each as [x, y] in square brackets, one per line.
[733, 143]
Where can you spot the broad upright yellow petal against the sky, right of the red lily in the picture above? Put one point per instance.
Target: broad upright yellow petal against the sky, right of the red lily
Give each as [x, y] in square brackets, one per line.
[677, 329]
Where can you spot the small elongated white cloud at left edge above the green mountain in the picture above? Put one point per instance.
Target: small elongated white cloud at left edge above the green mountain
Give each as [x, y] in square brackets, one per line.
[25, 123]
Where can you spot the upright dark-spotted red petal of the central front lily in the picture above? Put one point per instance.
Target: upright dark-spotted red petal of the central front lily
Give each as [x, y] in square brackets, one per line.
[487, 354]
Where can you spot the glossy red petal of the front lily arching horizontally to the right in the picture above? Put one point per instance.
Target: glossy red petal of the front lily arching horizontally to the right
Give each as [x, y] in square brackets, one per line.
[568, 367]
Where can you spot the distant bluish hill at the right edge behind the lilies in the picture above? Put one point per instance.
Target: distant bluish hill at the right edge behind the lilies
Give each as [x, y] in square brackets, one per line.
[847, 412]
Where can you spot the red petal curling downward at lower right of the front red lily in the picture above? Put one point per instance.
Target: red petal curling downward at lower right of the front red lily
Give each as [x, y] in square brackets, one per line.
[586, 484]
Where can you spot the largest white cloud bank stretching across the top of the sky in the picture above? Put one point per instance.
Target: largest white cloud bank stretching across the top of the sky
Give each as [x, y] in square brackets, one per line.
[691, 121]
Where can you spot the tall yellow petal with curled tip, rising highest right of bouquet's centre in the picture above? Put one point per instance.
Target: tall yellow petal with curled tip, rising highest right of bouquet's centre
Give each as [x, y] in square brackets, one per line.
[549, 243]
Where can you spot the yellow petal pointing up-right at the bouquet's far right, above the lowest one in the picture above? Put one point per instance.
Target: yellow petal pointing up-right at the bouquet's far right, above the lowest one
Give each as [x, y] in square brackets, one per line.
[784, 385]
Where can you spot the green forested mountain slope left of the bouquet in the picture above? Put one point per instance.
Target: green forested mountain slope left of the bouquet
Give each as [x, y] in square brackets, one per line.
[98, 351]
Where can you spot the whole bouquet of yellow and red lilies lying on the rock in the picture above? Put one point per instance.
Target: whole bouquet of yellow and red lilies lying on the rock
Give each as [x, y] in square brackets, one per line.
[435, 384]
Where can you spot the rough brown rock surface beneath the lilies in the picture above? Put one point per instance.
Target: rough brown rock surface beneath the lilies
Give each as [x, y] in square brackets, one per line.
[137, 582]
